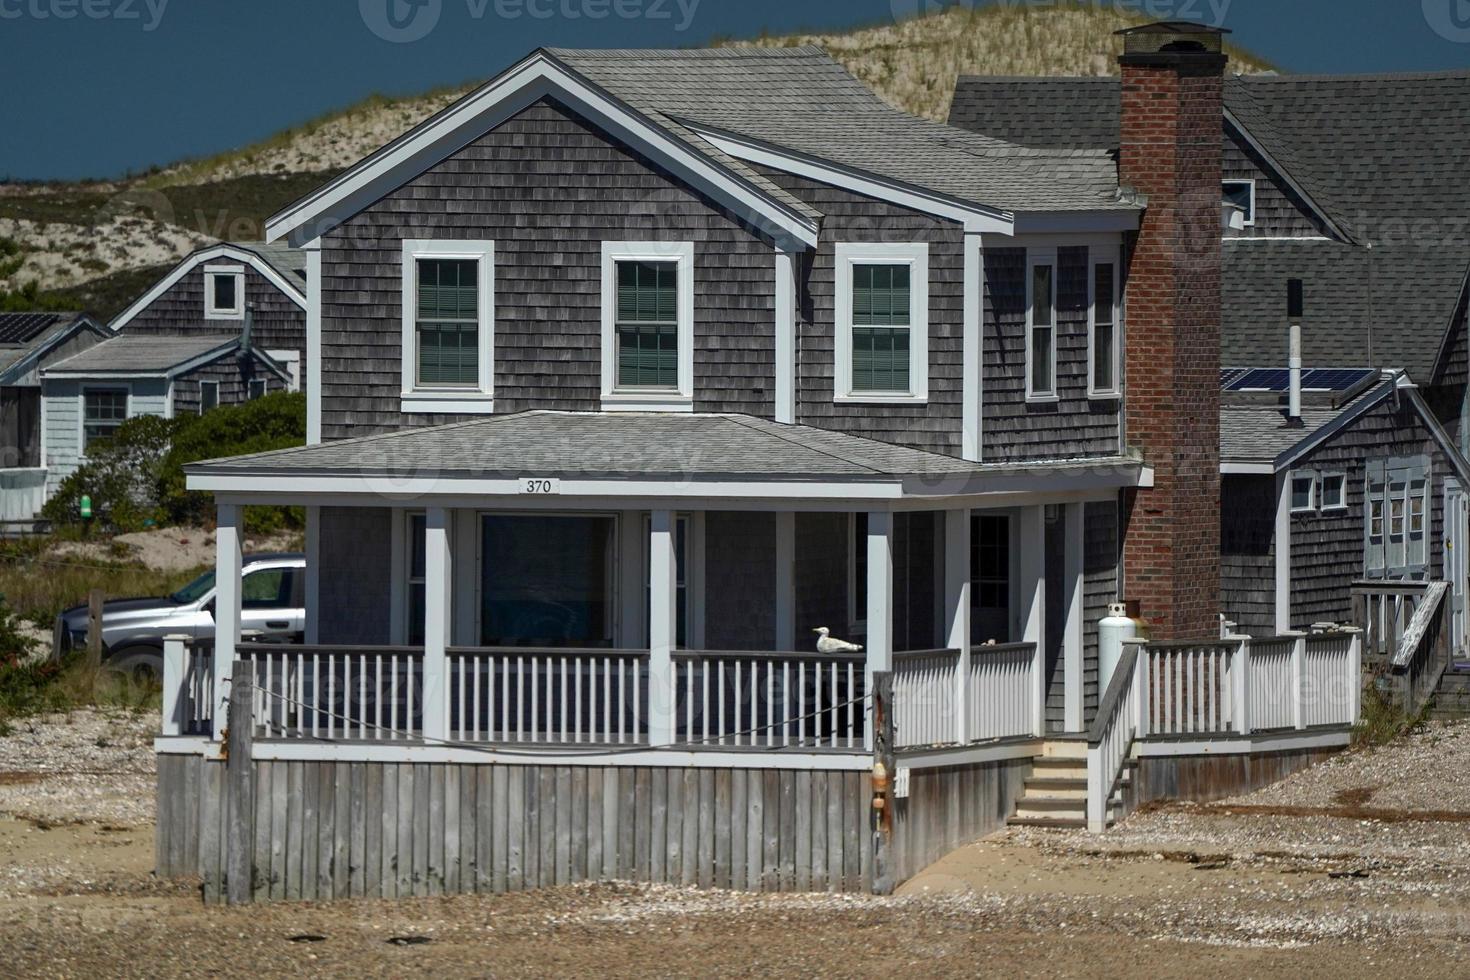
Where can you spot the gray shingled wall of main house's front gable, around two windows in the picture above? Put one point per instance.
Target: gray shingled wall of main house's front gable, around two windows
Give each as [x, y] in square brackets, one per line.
[549, 189]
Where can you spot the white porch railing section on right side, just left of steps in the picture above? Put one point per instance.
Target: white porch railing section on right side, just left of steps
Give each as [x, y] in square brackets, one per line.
[999, 696]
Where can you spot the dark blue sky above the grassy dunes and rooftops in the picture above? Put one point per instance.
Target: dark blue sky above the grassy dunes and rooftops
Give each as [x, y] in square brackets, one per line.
[98, 87]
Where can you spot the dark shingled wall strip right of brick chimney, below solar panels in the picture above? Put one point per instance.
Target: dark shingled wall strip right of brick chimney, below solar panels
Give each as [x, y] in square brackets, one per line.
[1247, 553]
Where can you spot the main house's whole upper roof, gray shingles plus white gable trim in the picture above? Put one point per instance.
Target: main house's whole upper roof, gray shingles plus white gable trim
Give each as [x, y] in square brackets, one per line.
[796, 101]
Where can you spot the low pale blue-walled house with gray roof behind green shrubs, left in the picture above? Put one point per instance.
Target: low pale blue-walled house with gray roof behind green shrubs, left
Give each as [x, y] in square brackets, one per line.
[87, 396]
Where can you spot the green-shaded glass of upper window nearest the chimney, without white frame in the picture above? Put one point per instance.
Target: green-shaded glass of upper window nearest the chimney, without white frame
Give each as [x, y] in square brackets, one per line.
[883, 318]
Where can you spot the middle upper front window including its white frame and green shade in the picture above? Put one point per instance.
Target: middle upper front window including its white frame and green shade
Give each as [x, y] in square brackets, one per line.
[649, 327]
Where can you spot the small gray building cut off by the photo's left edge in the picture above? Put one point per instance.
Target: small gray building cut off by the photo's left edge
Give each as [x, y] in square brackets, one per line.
[29, 343]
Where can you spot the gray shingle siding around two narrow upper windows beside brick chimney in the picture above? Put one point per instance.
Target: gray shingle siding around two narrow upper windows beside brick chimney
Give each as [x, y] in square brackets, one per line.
[1075, 425]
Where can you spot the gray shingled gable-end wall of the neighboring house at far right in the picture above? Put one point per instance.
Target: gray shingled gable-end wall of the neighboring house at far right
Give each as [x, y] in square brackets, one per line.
[1327, 552]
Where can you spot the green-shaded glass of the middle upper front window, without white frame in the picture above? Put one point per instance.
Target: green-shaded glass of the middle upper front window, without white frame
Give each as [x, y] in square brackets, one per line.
[648, 325]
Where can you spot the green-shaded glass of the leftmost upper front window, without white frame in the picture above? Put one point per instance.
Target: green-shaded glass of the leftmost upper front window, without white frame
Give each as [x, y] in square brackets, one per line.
[449, 323]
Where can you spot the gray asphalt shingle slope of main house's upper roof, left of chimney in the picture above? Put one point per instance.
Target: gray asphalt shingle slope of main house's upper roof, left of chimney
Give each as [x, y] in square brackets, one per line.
[800, 99]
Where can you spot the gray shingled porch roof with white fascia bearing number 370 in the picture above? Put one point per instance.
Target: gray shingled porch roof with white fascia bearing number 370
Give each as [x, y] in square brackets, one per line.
[659, 450]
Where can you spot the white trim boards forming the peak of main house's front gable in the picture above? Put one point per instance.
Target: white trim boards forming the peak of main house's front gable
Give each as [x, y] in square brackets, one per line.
[501, 99]
